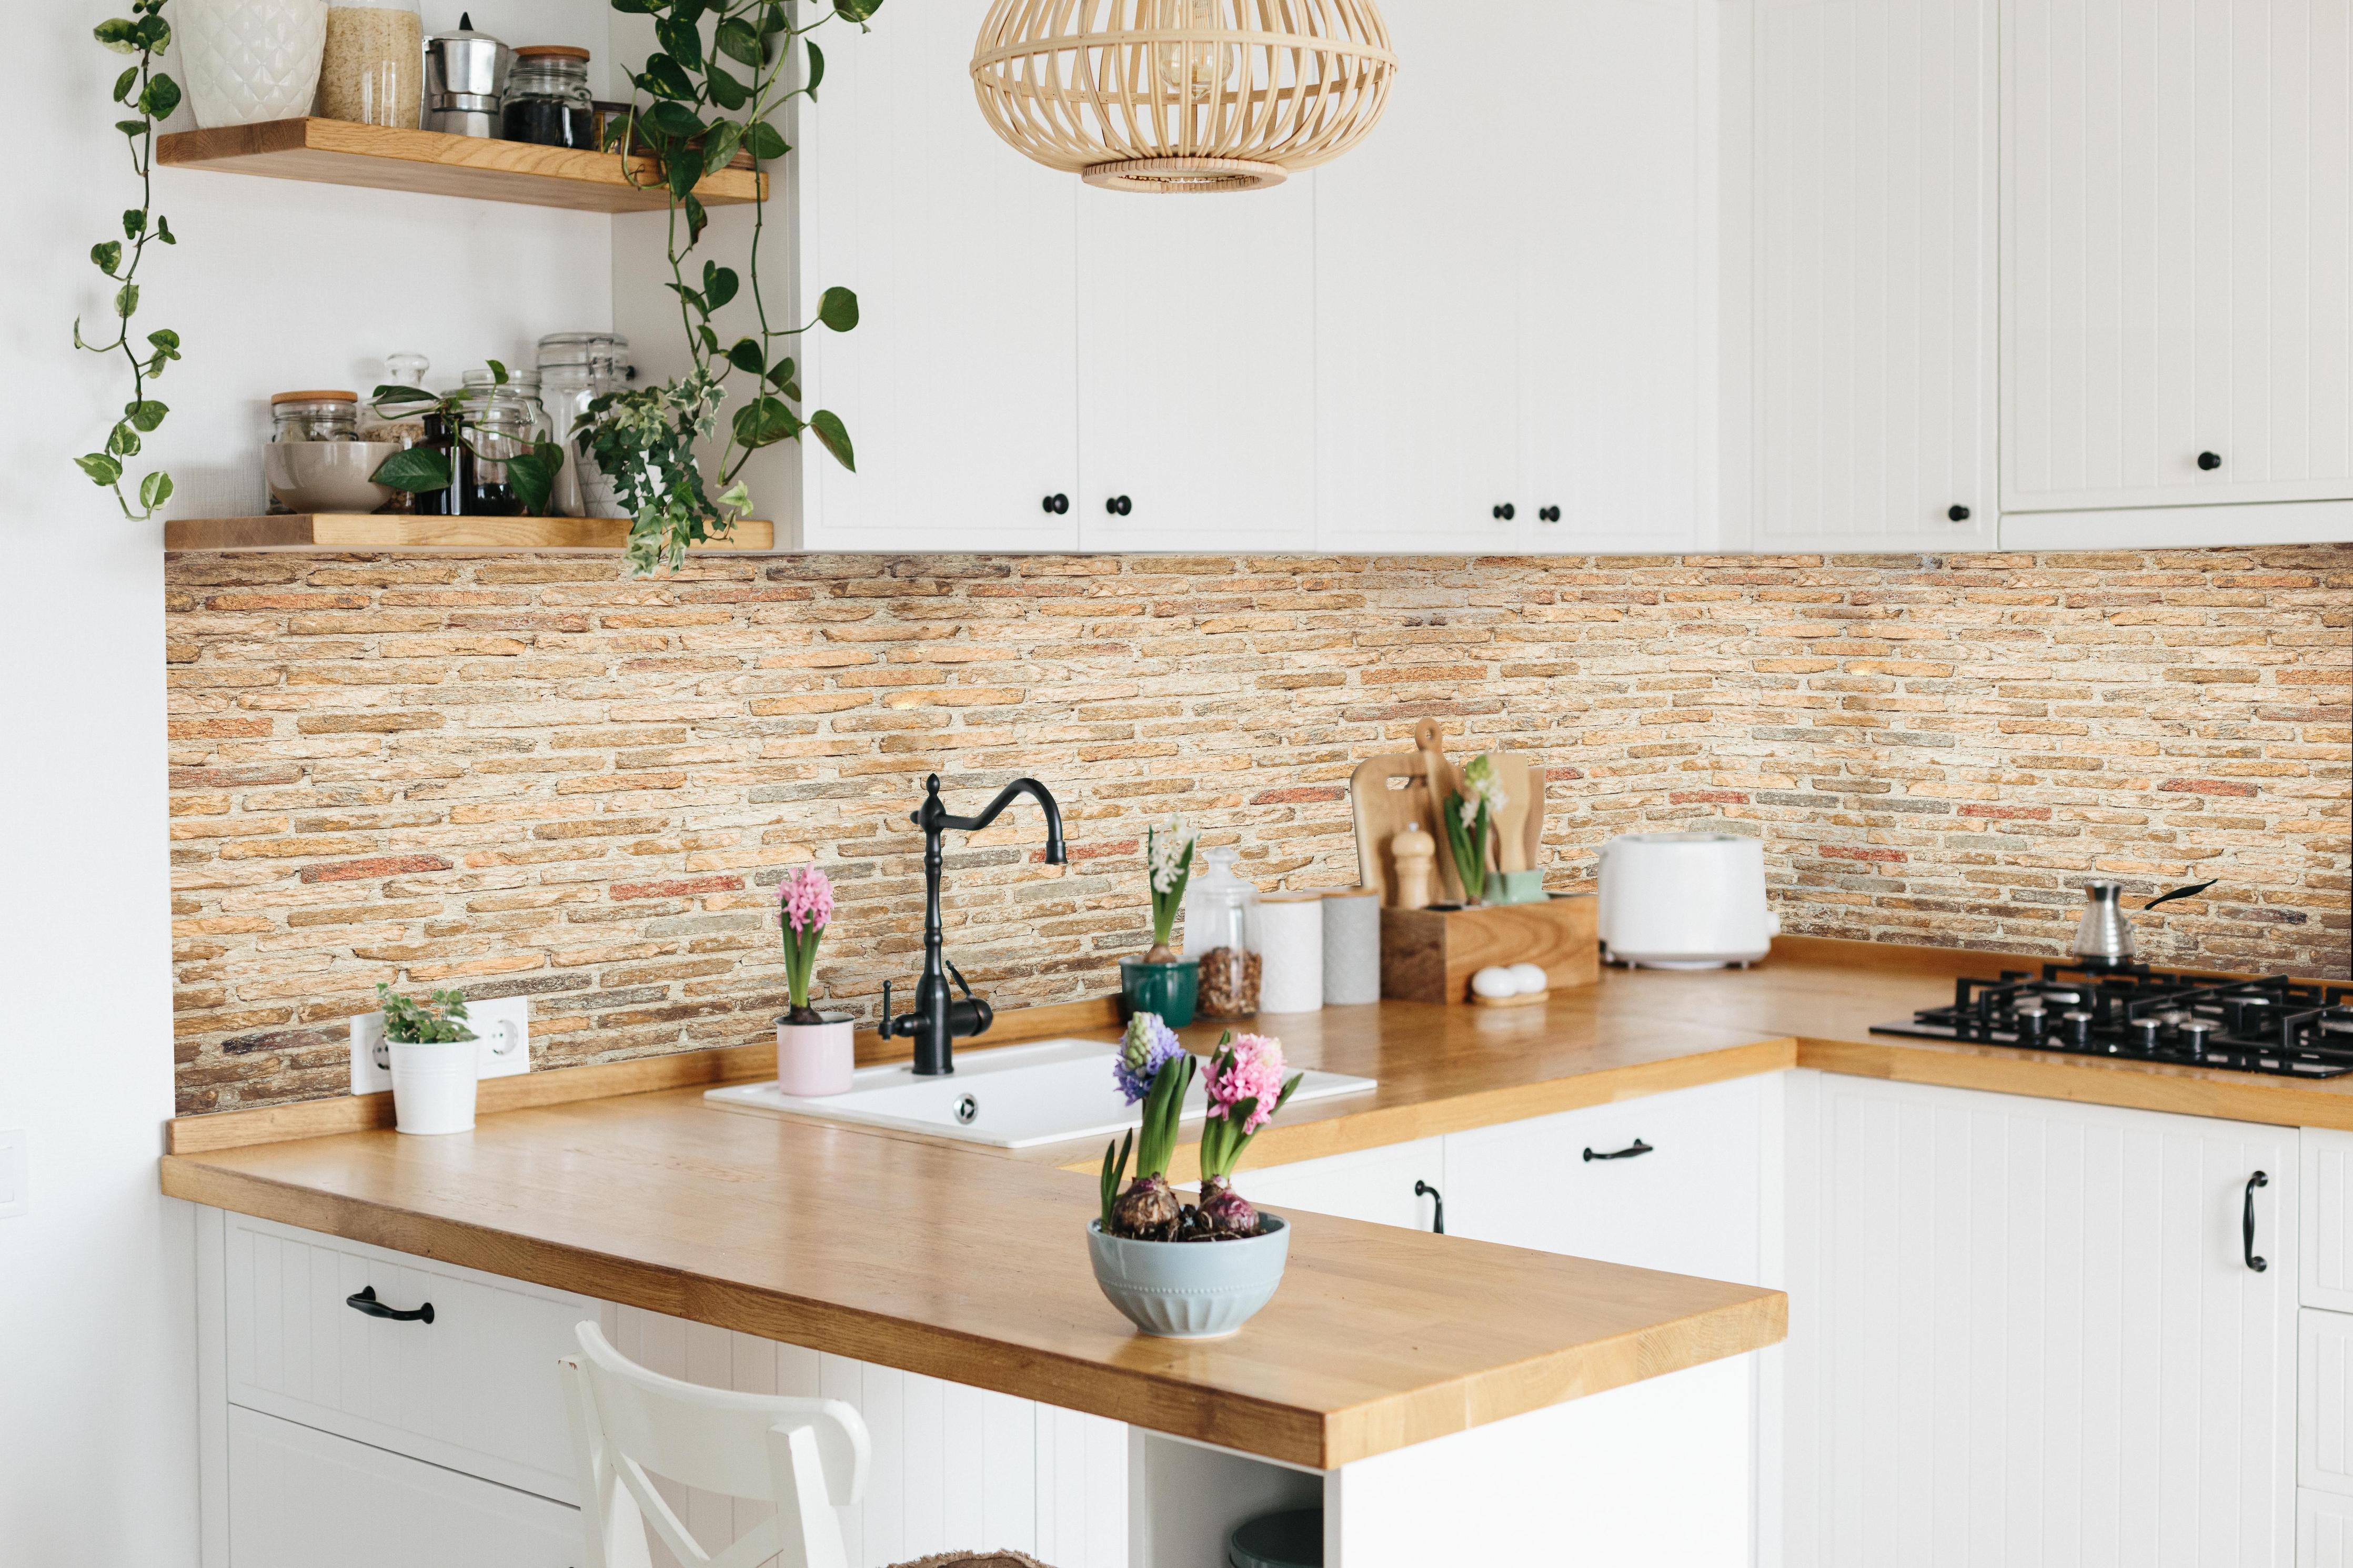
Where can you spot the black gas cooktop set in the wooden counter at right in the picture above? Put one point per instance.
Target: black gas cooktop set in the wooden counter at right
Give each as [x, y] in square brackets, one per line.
[2140, 1014]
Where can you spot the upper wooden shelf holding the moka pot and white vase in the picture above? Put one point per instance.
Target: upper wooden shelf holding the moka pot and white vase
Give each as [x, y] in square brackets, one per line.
[345, 154]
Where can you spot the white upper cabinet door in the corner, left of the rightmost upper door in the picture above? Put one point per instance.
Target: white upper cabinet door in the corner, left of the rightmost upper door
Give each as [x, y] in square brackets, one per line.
[1872, 394]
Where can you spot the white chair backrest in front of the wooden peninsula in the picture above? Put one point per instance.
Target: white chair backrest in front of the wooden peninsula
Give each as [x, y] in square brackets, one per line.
[629, 1426]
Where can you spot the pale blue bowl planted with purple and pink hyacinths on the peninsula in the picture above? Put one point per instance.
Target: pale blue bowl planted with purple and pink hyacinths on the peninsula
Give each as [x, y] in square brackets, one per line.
[1173, 1268]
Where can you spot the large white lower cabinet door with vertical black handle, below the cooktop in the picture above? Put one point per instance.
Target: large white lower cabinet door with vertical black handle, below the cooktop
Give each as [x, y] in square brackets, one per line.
[2027, 1332]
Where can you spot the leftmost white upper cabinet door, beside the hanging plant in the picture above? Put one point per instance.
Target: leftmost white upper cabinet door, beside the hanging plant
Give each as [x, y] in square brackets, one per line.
[961, 380]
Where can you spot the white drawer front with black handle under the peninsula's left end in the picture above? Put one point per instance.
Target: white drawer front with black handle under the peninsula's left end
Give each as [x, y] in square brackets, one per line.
[472, 1391]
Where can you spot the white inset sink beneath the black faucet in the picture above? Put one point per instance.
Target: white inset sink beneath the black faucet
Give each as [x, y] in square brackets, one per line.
[1011, 1099]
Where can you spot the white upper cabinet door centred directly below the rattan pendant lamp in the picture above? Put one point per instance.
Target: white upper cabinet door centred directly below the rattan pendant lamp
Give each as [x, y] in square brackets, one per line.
[1197, 398]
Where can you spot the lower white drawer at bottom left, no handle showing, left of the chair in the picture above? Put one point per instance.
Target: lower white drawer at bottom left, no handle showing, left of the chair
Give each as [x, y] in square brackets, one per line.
[302, 1499]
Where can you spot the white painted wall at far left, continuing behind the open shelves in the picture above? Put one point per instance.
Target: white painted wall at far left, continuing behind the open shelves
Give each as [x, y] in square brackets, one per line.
[274, 286]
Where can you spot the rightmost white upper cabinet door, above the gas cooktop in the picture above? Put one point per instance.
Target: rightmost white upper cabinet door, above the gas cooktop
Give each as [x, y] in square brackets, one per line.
[2178, 255]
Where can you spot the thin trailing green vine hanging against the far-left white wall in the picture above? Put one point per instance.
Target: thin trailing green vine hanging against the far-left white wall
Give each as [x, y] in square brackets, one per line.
[149, 95]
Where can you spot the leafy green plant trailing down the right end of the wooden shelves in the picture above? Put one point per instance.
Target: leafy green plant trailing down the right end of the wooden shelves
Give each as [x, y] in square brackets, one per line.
[705, 98]
